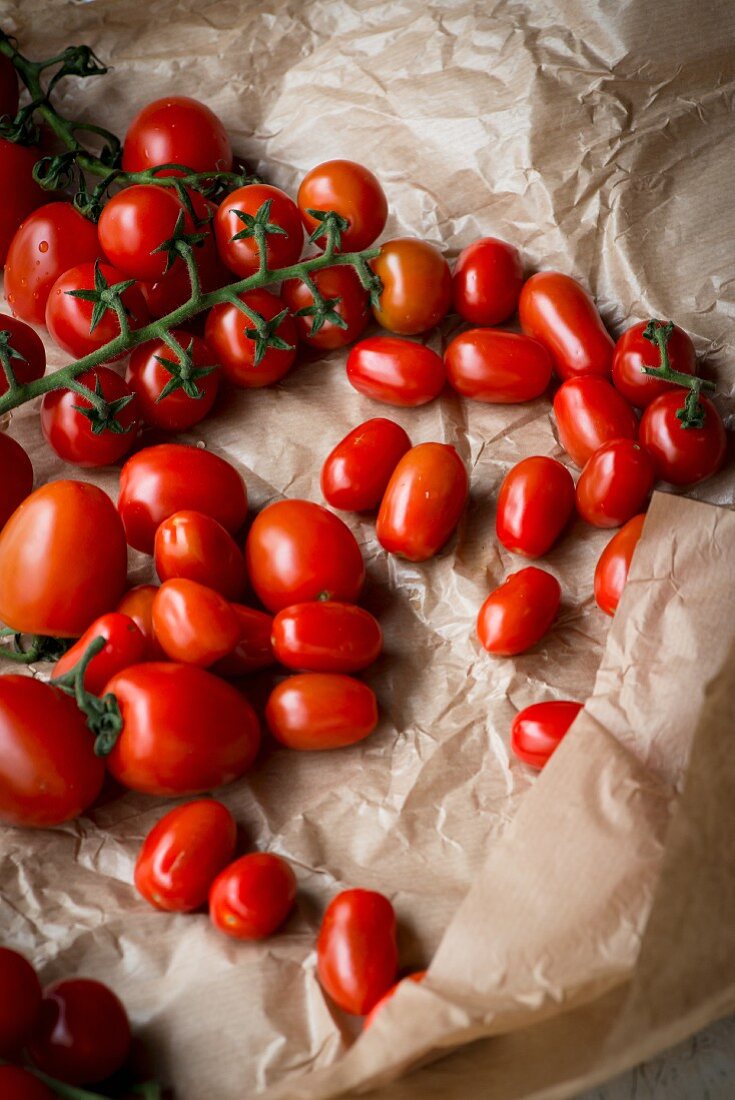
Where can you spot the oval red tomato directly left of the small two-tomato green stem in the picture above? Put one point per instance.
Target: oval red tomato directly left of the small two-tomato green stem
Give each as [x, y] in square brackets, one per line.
[590, 413]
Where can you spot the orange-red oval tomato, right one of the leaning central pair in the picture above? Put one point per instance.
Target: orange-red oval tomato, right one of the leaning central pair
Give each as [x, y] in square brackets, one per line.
[424, 502]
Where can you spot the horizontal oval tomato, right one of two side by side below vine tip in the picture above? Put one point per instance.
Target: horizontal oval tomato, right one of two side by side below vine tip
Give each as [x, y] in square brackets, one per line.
[499, 368]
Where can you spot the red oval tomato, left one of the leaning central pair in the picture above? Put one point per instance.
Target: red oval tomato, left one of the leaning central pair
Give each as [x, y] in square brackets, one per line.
[357, 472]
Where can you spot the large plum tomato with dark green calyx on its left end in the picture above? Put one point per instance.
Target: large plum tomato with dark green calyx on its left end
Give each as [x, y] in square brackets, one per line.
[167, 746]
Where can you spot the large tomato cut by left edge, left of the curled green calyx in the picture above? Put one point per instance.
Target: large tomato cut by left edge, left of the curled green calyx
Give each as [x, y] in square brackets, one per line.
[49, 772]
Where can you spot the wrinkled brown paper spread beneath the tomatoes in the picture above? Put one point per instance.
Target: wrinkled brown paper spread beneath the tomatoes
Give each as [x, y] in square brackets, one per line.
[583, 919]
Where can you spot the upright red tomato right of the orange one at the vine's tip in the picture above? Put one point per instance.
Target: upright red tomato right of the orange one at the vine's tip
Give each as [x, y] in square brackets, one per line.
[487, 282]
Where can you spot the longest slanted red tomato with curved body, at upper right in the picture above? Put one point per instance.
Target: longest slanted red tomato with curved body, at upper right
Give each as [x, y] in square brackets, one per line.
[560, 313]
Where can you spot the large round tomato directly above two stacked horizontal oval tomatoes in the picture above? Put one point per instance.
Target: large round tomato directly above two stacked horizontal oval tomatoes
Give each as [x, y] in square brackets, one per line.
[298, 551]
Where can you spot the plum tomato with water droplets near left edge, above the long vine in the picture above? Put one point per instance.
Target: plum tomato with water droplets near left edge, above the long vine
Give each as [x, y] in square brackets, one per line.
[51, 241]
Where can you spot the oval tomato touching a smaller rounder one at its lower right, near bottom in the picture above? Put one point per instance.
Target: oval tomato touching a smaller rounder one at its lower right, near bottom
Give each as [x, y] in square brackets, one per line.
[183, 855]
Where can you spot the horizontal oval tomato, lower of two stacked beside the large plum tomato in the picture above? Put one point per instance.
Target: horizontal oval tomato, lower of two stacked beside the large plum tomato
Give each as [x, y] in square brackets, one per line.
[322, 711]
